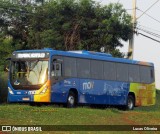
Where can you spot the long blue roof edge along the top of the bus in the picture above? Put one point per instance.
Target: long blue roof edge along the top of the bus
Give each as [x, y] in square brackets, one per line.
[87, 55]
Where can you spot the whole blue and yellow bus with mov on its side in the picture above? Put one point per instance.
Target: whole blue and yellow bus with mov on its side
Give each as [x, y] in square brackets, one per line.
[79, 77]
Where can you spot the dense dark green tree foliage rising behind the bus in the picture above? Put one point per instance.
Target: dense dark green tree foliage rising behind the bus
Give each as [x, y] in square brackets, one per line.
[63, 24]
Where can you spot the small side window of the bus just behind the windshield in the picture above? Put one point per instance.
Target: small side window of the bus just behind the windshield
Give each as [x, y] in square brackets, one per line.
[56, 69]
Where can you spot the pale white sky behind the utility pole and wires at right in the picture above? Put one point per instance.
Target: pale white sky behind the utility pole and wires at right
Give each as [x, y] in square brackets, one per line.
[145, 49]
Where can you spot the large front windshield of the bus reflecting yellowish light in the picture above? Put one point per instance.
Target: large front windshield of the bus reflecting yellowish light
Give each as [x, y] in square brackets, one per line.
[29, 72]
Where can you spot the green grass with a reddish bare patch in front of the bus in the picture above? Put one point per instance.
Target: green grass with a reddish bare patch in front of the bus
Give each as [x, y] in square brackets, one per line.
[24, 114]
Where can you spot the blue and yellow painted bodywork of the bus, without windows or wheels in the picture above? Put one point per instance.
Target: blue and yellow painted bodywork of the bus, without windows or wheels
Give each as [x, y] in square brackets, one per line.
[86, 90]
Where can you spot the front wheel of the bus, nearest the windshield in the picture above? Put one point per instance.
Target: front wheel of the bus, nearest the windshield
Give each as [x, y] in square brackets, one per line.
[71, 100]
